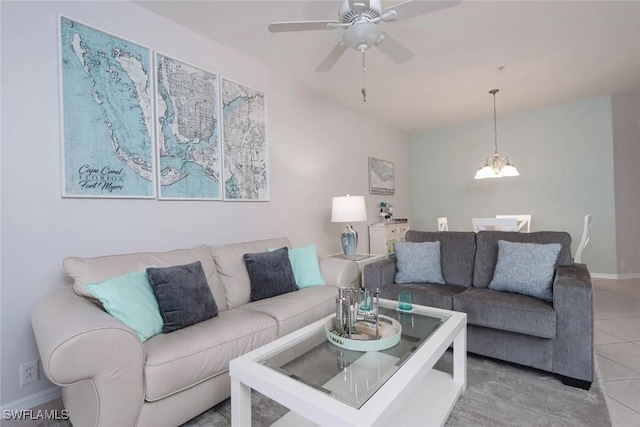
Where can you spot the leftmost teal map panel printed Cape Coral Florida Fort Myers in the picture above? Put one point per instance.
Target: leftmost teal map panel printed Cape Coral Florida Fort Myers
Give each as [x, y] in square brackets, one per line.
[108, 115]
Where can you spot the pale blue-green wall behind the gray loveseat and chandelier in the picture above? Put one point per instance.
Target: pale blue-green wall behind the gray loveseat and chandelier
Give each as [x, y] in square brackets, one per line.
[565, 157]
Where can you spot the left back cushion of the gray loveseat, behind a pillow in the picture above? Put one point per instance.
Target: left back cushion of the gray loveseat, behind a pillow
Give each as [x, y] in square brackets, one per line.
[457, 250]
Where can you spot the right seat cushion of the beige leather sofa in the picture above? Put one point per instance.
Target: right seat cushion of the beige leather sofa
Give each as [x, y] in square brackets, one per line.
[296, 309]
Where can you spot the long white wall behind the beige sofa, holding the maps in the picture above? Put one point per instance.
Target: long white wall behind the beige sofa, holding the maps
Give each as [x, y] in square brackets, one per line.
[317, 150]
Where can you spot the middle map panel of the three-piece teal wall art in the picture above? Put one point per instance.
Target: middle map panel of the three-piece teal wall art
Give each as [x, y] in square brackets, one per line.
[188, 131]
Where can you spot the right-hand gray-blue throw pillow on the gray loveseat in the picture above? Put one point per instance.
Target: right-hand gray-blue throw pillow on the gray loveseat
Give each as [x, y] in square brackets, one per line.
[526, 268]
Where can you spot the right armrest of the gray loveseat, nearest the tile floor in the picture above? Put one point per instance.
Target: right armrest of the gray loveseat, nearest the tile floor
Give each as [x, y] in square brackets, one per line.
[573, 303]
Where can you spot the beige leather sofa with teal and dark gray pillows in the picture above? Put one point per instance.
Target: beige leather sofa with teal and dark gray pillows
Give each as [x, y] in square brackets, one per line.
[111, 378]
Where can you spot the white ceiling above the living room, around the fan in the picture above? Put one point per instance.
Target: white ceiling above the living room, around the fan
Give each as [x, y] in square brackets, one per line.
[552, 52]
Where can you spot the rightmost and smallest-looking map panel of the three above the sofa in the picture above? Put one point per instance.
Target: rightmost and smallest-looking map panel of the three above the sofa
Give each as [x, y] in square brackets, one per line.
[244, 138]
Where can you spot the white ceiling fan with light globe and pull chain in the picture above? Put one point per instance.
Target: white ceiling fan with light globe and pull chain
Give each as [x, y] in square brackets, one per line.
[360, 21]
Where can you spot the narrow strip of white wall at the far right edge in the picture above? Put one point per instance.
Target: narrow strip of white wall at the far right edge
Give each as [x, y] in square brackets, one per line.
[626, 149]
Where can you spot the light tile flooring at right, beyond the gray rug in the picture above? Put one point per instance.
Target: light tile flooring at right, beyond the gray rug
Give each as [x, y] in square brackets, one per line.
[617, 341]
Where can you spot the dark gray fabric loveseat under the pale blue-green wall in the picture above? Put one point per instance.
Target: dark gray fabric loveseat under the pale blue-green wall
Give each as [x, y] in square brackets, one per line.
[555, 336]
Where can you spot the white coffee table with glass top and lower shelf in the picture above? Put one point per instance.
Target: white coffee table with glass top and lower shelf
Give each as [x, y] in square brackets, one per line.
[325, 385]
